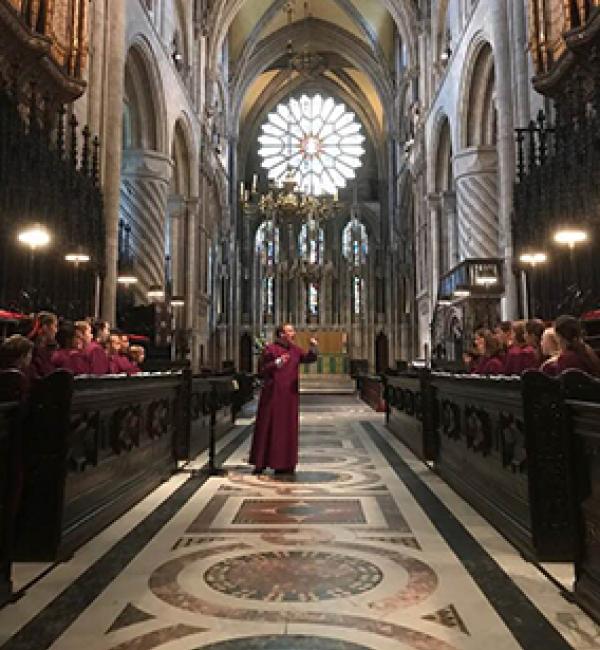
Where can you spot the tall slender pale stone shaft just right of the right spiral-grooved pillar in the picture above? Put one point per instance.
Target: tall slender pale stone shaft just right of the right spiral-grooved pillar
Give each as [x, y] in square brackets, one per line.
[506, 149]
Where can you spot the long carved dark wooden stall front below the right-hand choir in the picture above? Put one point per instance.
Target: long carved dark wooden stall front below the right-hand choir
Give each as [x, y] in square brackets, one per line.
[498, 442]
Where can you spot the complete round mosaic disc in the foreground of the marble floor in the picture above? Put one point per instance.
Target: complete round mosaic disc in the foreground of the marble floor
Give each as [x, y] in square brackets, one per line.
[293, 576]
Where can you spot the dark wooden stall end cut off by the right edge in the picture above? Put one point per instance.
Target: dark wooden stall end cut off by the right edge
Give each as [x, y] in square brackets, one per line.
[582, 398]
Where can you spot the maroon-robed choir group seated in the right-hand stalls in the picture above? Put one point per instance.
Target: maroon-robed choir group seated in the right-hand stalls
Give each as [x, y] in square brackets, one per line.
[512, 348]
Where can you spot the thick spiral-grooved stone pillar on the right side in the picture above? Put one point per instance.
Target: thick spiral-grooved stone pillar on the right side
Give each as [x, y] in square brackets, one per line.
[476, 171]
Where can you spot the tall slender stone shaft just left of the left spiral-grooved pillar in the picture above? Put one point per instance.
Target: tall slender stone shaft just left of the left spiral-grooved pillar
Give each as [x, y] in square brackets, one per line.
[112, 154]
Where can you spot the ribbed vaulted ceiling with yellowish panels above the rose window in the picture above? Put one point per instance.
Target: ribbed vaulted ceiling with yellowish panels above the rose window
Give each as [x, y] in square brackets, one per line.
[353, 45]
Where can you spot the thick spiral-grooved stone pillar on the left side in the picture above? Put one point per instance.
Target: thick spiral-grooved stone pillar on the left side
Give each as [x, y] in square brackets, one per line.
[144, 192]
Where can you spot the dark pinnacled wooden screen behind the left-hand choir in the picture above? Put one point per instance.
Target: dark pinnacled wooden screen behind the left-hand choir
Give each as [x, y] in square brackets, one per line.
[42, 182]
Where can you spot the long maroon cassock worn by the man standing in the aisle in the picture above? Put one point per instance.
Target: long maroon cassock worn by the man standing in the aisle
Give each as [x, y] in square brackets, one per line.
[275, 441]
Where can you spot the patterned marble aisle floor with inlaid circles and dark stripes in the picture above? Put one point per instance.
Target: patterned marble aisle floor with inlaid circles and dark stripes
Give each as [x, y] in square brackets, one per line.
[363, 549]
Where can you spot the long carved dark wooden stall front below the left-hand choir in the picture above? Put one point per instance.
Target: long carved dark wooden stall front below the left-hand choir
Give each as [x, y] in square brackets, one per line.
[94, 447]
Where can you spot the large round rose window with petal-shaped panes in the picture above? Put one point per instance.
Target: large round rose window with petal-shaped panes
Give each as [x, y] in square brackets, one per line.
[315, 137]
